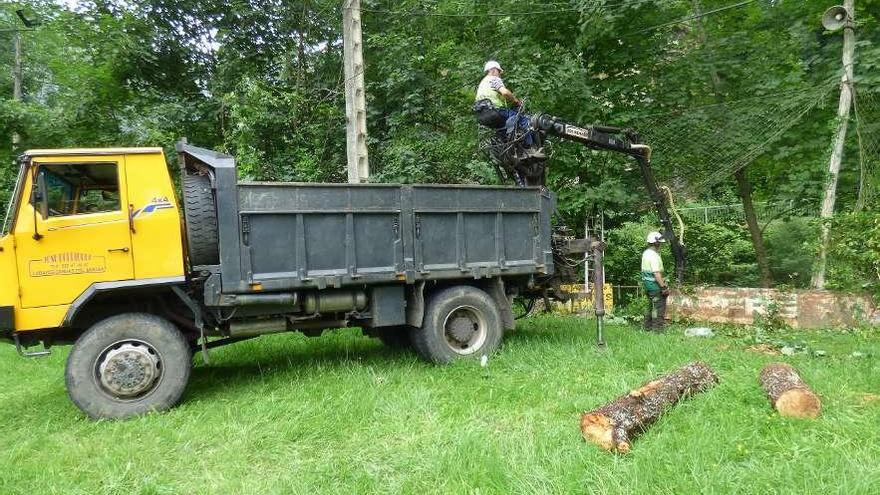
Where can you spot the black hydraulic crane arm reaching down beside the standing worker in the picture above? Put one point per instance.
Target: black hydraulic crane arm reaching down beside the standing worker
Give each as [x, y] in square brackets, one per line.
[628, 142]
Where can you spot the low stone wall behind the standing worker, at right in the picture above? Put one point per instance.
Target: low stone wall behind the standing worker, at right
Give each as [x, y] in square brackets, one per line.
[798, 308]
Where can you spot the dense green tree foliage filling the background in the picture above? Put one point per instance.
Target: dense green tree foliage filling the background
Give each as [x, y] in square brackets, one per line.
[263, 80]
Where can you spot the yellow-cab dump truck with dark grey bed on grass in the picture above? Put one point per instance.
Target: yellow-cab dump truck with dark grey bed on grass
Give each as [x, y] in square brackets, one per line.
[99, 250]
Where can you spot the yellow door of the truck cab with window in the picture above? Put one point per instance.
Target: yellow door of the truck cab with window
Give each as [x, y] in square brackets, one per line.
[75, 229]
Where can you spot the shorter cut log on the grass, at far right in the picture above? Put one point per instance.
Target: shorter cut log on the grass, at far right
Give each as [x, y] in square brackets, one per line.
[788, 393]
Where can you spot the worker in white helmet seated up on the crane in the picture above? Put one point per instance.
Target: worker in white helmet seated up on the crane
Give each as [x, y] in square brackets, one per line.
[496, 106]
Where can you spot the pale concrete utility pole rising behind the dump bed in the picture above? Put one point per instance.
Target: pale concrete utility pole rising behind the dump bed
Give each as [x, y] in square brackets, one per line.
[355, 101]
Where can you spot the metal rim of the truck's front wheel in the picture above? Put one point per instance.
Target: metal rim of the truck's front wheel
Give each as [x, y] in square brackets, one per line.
[128, 370]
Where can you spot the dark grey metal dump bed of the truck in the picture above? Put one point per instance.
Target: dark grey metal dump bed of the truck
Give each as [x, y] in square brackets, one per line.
[281, 236]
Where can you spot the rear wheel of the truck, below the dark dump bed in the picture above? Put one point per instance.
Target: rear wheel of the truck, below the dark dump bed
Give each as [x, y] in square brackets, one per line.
[460, 322]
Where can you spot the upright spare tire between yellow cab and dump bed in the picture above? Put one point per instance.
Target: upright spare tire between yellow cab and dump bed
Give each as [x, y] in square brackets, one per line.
[201, 220]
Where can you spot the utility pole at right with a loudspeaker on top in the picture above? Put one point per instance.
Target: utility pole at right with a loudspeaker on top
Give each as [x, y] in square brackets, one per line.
[843, 110]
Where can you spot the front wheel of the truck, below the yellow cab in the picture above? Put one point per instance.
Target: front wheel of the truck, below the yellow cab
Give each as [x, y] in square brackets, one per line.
[128, 365]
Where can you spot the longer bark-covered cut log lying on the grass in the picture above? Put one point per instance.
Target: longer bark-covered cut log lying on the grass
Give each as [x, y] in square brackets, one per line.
[613, 425]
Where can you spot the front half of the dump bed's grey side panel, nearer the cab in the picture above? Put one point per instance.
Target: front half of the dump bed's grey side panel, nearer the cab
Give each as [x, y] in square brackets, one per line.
[326, 234]
